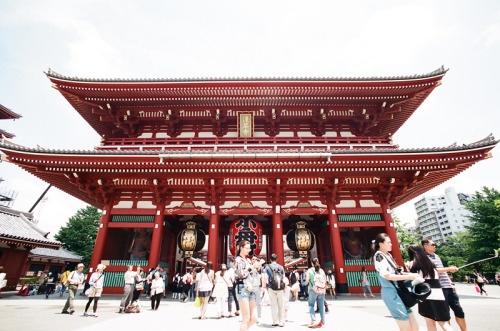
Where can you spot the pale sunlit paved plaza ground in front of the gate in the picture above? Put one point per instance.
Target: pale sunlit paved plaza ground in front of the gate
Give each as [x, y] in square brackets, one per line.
[349, 312]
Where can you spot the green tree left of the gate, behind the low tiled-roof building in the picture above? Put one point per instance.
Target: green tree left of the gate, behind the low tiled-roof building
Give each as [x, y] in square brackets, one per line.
[80, 232]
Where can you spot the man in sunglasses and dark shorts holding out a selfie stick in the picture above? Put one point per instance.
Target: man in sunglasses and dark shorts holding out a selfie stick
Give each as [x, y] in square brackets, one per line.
[450, 295]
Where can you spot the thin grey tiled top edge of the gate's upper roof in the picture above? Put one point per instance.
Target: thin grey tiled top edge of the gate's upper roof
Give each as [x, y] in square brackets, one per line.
[51, 73]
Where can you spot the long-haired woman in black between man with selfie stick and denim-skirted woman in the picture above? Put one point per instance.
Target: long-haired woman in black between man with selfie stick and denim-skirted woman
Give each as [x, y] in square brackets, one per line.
[434, 308]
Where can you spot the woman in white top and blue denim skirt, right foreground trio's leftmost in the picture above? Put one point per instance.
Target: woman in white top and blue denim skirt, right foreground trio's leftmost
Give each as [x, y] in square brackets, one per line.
[387, 273]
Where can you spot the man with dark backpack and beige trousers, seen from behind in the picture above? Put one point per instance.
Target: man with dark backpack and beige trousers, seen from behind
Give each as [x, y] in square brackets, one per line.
[275, 286]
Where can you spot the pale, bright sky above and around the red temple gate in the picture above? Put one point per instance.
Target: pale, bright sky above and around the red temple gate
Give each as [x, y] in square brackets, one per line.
[166, 39]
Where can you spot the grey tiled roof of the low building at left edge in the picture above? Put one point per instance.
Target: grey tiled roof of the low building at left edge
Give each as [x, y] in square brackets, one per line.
[18, 227]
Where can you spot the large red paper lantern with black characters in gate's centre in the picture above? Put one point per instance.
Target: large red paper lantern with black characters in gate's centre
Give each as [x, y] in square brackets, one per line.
[246, 229]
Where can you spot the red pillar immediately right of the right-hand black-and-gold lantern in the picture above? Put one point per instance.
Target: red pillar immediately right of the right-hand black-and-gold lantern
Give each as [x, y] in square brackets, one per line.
[338, 258]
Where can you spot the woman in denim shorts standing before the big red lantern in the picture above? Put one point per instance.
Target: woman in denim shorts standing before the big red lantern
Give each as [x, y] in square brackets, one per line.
[246, 297]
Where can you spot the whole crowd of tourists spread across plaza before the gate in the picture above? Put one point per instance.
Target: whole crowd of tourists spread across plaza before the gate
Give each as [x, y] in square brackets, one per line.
[251, 283]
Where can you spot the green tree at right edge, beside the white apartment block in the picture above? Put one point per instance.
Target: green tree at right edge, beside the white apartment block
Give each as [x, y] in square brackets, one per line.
[484, 230]
